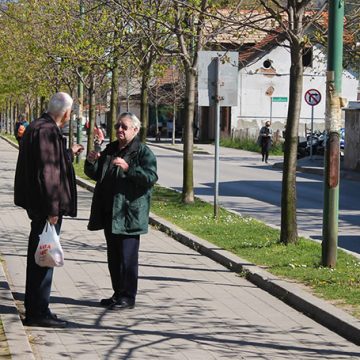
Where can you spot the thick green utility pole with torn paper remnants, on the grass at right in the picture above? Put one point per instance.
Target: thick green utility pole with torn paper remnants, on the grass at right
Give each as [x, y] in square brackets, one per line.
[332, 127]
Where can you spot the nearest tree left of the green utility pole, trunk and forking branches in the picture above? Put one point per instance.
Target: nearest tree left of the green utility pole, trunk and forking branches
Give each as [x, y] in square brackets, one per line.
[294, 22]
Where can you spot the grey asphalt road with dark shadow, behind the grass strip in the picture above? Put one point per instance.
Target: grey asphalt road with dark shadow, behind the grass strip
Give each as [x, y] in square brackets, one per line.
[250, 187]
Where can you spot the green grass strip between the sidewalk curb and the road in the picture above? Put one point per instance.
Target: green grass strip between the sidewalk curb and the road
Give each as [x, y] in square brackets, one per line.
[259, 244]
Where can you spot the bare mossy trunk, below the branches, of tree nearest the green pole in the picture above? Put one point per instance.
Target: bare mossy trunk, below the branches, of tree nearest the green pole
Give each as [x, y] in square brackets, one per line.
[288, 197]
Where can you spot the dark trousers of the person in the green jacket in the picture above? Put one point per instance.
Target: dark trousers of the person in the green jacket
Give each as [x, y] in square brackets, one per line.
[123, 263]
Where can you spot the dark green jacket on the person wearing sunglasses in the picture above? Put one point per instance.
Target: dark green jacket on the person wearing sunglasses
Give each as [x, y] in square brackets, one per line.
[131, 190]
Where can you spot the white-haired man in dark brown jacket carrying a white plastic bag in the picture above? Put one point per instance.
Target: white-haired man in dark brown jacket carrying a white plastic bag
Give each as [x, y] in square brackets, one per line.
[45, 187]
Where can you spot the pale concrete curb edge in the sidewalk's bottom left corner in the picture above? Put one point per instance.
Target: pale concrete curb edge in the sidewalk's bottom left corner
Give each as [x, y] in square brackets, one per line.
[17, 340]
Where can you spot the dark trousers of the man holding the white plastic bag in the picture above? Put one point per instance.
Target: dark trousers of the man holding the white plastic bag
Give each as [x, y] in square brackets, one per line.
[38, 279]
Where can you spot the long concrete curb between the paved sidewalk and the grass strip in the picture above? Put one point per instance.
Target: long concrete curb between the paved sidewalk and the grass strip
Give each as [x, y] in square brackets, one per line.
[321, 311]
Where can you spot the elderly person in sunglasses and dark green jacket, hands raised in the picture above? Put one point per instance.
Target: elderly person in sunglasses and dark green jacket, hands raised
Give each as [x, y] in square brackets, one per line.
[125, 172]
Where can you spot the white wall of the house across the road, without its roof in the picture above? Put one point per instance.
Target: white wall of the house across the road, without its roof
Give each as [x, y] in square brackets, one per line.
[258, 86]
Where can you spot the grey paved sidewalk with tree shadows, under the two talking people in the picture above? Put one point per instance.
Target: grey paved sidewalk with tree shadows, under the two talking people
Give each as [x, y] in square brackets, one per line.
[188, 307]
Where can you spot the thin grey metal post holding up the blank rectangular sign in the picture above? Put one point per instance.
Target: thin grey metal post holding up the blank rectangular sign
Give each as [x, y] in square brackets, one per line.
[217, 137]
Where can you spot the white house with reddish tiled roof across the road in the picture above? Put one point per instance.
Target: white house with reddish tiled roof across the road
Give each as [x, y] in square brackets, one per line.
[264, 73]
